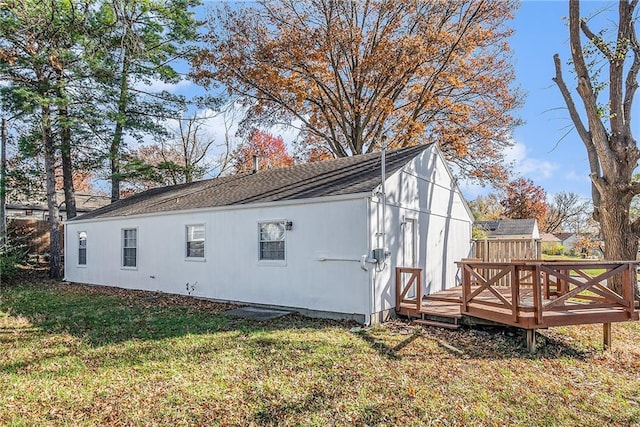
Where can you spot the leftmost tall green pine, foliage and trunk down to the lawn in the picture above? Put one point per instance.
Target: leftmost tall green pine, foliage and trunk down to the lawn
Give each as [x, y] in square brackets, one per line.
[35, 43]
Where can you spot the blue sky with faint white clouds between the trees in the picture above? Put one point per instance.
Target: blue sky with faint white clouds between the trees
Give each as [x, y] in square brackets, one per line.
[546, 148]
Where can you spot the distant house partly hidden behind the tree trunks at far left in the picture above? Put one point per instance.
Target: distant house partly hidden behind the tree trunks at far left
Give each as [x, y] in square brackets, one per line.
[36, 207]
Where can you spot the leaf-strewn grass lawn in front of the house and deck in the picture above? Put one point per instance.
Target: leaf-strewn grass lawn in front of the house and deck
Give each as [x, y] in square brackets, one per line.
[79, 355]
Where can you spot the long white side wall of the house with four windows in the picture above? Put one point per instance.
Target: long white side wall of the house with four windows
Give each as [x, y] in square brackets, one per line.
[231, 270]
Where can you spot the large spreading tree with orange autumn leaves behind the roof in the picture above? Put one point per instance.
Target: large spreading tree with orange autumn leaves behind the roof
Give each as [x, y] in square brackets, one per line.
[351, 71]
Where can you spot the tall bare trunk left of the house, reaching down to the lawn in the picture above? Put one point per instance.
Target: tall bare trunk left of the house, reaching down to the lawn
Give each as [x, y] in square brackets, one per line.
[55, 259]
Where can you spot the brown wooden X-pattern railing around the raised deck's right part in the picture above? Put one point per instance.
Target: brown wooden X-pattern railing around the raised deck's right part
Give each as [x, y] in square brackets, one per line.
[536, 289]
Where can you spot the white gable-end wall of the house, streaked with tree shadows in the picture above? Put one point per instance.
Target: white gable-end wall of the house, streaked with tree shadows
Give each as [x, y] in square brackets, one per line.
[423, 190]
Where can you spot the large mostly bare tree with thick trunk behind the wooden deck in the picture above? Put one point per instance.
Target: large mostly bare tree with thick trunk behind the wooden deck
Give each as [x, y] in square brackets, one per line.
[605, 128]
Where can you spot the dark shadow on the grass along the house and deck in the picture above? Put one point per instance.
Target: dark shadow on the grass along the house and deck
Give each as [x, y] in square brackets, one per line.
[102, 316]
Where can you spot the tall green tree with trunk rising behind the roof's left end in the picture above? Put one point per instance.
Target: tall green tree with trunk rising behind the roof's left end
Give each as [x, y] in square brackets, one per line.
[138, 41]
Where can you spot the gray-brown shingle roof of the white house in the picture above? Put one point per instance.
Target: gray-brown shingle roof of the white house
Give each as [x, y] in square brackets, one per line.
[347, 175]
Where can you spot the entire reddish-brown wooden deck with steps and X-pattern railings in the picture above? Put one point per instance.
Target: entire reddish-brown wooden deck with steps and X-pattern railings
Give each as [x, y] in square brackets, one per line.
[525, 294]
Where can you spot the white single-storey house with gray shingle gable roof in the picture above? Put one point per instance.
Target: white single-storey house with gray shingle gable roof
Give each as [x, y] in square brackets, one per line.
[316, 237]
